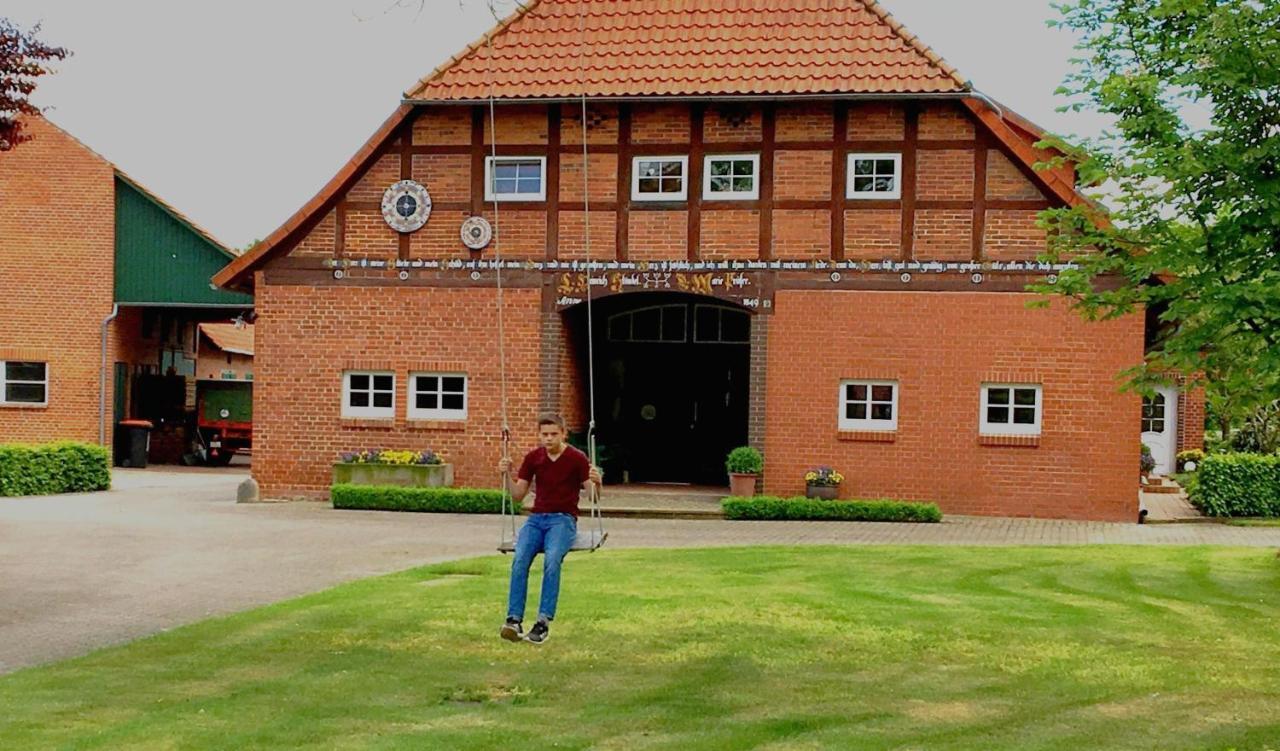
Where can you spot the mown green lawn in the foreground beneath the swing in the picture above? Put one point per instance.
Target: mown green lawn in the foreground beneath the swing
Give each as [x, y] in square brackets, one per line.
[779, 649]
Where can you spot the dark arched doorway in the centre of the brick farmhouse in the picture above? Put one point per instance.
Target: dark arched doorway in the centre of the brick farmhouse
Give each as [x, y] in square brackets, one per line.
[673, 384]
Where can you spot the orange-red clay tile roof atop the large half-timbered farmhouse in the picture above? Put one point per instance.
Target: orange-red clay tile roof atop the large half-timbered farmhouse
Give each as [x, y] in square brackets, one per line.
[692, 48]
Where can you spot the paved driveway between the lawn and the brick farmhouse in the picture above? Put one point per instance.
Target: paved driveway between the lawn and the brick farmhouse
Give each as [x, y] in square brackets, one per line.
[167, 548]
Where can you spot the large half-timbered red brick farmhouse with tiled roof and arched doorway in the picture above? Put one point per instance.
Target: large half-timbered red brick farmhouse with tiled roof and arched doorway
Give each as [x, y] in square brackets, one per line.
[807, 233]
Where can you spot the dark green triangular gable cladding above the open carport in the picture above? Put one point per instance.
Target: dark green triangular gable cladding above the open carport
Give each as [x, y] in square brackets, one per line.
[162, 258]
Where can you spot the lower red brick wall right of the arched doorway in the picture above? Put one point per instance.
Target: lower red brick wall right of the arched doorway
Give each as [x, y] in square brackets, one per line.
[941, 347]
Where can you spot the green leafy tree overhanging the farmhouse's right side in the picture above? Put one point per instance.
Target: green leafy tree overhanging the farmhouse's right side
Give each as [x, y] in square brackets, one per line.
[1191, 178]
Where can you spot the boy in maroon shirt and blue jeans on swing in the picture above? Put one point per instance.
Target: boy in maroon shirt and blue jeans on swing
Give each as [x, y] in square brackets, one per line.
[561, 471]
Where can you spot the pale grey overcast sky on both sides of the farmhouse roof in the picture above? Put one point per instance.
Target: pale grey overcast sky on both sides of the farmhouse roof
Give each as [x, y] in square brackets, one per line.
[237, 112]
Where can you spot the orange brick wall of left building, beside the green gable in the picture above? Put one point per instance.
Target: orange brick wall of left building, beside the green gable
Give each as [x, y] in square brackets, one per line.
[57, 280]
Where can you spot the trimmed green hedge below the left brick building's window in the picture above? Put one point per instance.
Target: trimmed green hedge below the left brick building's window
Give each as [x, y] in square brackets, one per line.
[56, 468]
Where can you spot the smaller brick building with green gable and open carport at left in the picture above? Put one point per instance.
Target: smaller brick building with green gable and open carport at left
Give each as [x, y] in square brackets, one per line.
[103, 283]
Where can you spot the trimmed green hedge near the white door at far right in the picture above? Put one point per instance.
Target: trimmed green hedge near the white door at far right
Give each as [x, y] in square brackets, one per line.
[1240, 486]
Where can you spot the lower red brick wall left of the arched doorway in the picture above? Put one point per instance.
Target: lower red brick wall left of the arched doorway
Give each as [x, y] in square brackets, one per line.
[308, 337]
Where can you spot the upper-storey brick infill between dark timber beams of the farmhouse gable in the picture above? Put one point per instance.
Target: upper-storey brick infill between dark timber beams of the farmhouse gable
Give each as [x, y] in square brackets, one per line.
[802, 178]
